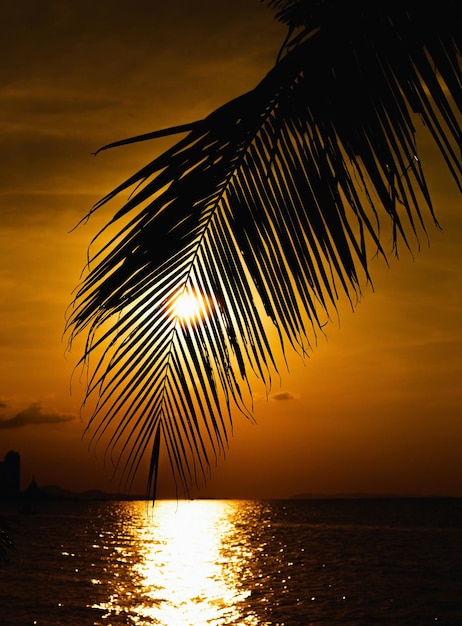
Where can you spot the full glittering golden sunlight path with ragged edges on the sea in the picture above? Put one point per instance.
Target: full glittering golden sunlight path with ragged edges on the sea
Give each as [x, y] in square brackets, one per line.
[188, 564]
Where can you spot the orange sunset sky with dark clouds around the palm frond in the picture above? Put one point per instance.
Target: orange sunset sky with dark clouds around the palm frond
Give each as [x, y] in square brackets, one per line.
[378, 406]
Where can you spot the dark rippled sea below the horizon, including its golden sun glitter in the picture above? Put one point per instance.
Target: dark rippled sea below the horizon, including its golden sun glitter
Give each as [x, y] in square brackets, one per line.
[221, 562]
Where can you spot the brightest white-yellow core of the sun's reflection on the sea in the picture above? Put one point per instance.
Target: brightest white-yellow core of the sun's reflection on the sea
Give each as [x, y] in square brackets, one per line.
[183, 562]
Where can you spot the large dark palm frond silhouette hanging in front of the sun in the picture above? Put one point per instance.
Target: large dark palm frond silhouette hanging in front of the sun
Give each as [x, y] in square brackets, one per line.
[270, 209]
